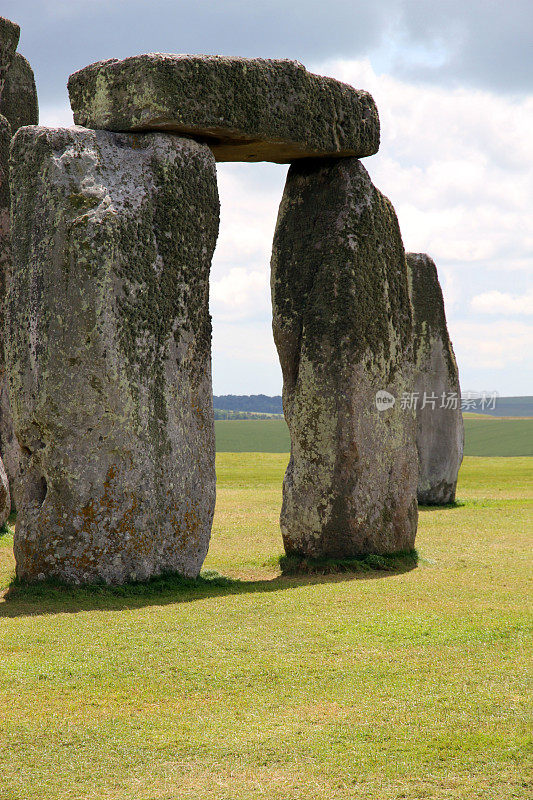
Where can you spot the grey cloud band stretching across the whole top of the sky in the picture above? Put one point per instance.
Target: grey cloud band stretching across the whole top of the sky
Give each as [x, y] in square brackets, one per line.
[479, 42]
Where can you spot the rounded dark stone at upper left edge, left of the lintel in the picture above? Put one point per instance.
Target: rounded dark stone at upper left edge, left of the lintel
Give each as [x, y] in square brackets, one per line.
[18, 102]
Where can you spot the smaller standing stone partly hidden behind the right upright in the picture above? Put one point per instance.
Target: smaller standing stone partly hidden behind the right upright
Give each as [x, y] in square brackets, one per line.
[440, 433]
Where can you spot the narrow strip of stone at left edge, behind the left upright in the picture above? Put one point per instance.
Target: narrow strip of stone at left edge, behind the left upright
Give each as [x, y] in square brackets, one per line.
[9, 447]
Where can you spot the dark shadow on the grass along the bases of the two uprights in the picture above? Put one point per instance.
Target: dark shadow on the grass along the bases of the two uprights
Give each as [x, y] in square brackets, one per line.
[50, 597]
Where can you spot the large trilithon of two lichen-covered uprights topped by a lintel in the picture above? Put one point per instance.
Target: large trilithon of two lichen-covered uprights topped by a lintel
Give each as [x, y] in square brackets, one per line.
[108, 329]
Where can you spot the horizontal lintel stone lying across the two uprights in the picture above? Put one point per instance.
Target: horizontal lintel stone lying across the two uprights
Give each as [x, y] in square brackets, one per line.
[245, 109]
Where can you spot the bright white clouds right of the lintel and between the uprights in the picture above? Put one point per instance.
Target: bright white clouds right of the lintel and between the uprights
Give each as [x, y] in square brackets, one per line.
[458, 166]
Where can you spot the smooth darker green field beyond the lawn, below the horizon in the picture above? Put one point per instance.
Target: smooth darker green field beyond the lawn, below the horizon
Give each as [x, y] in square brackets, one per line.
[484, 436]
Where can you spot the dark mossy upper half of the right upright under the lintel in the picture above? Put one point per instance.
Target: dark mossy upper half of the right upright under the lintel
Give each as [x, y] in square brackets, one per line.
[341, 276]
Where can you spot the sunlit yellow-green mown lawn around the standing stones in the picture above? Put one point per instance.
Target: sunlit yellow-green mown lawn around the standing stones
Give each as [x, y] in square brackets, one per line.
[376, 685]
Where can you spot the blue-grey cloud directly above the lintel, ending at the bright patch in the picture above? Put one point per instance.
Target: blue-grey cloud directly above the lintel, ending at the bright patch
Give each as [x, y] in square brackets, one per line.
[60, 36]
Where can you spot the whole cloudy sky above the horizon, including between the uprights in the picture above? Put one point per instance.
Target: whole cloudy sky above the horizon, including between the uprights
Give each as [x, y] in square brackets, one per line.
[453, 83]
